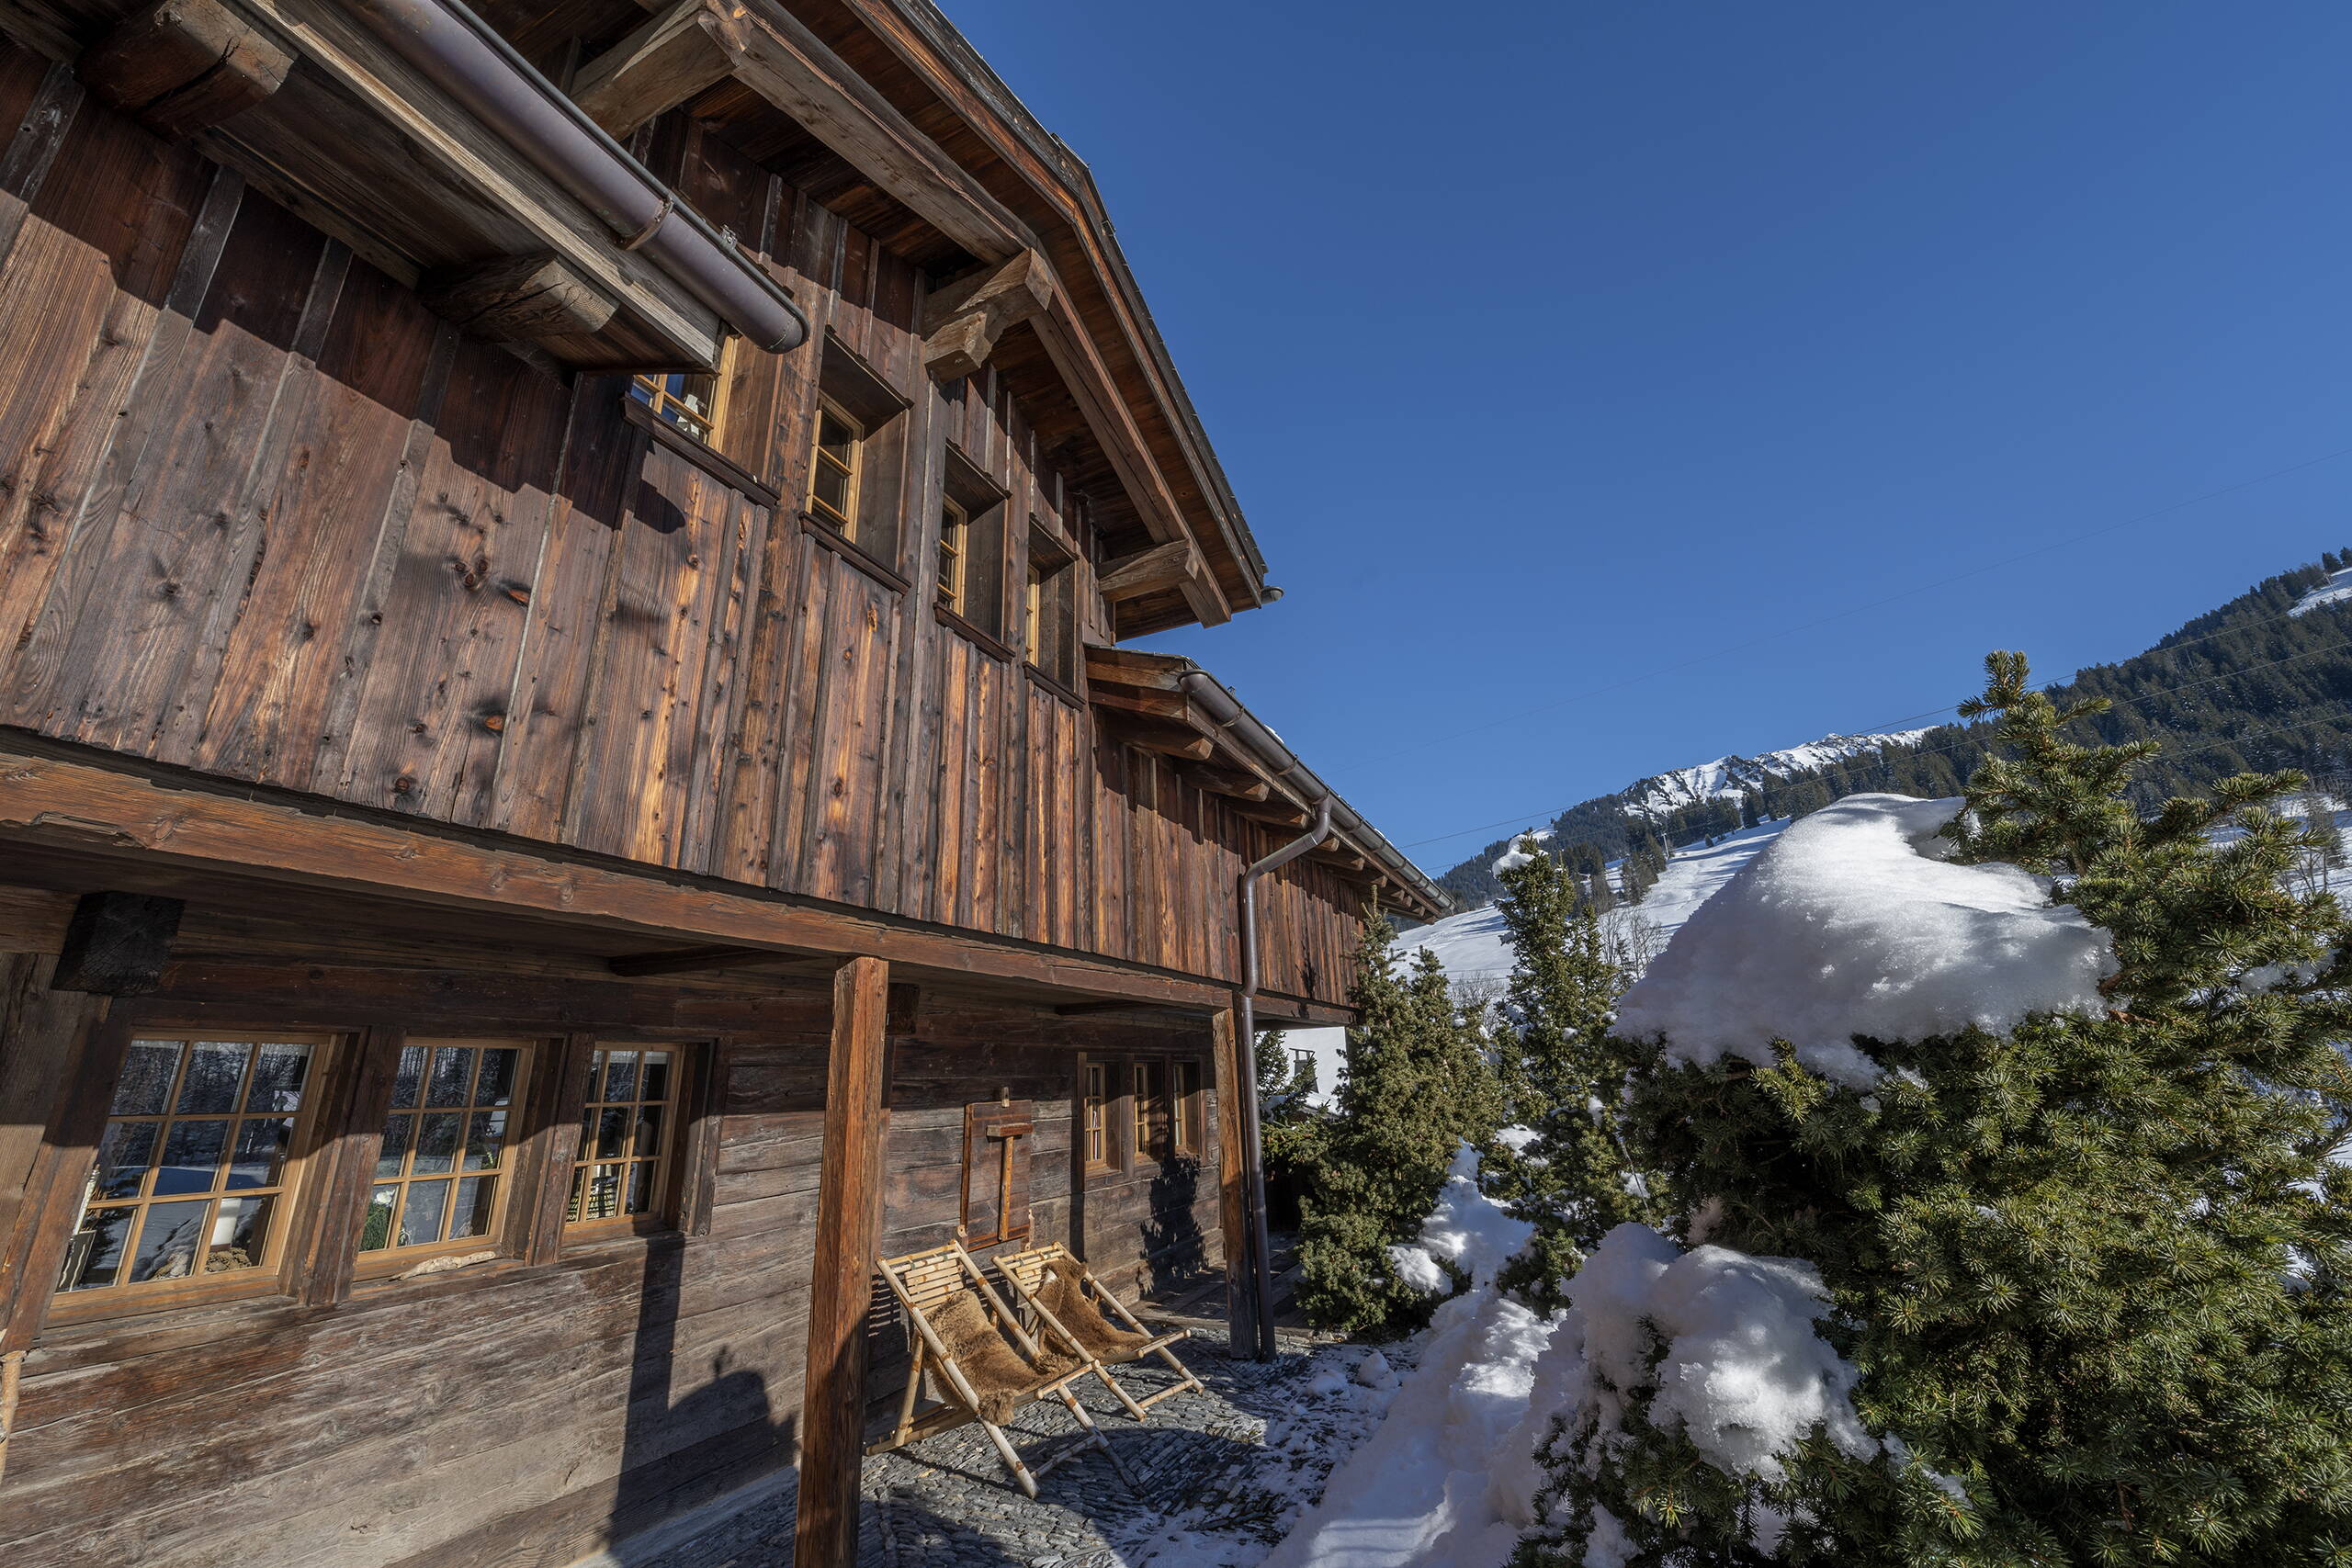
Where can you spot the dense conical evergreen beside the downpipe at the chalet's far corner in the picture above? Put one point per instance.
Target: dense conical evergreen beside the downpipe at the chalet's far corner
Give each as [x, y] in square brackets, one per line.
[1417, 1085]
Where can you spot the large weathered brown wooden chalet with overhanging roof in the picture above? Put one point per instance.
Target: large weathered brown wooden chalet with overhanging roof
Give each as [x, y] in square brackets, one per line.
[568, 772]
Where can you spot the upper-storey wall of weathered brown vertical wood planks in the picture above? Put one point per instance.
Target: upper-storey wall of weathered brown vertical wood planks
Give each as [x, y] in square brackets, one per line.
[267, 518]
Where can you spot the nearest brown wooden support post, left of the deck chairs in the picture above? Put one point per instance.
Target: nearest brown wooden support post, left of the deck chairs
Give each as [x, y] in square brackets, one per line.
[848, 1212]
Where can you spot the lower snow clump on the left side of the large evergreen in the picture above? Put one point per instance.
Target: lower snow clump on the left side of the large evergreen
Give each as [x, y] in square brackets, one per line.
[1744, 1374]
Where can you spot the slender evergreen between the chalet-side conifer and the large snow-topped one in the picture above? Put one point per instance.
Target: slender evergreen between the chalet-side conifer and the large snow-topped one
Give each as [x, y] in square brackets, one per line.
[1575, 1179]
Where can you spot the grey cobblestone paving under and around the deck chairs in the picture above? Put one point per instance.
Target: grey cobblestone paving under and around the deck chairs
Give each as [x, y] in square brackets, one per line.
[1217, 1477]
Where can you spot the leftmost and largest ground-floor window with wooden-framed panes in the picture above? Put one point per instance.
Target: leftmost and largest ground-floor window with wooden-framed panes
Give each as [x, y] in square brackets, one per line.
[196, 1170]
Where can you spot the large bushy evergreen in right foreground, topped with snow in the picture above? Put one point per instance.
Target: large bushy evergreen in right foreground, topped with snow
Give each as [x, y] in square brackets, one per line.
[2097, 1271]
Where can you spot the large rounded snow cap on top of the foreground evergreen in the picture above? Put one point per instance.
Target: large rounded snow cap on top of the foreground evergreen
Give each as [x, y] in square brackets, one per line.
[1850, 923]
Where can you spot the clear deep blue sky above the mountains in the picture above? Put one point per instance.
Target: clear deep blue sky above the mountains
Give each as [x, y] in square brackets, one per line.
[1626, 382]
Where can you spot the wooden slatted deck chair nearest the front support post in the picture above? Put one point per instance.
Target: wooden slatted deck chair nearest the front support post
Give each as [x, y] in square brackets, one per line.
[984, 1365]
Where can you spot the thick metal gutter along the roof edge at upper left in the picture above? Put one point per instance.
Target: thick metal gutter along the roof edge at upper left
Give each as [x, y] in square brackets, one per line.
[467, 60]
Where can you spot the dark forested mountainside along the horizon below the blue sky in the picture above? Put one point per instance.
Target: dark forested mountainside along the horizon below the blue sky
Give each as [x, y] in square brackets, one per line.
[2261, 683]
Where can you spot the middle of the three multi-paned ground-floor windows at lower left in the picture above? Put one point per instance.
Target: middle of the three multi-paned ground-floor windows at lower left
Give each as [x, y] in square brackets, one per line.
[441, 1170]
